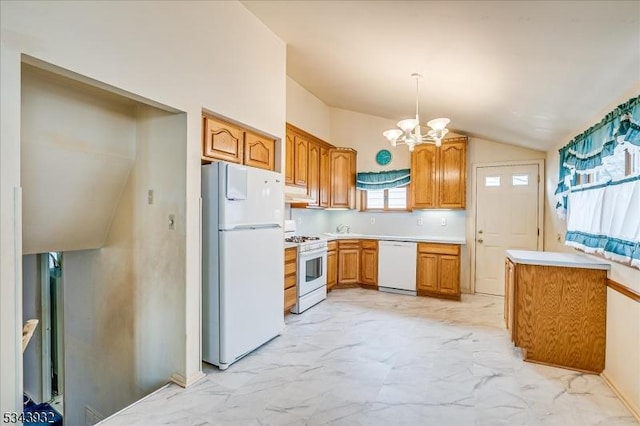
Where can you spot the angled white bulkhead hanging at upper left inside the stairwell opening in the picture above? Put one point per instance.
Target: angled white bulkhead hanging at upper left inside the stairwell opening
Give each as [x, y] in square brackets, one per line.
[78, 147]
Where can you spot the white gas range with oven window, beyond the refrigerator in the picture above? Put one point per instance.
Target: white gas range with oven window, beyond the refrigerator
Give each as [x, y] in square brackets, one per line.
[312, 266]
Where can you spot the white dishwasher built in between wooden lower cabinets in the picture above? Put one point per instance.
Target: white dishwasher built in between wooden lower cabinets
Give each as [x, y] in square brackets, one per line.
[397, 266]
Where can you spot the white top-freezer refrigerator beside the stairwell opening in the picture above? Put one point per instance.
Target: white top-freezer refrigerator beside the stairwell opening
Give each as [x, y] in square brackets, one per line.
[242, 260]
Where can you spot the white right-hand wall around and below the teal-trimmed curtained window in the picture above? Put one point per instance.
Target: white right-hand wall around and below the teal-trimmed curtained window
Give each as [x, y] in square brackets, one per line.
[622, 365]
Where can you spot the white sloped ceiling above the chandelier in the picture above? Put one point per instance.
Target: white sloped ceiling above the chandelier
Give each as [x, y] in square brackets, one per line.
[530, 73]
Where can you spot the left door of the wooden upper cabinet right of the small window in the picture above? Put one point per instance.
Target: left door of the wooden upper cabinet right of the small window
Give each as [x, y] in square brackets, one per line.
[424, 176]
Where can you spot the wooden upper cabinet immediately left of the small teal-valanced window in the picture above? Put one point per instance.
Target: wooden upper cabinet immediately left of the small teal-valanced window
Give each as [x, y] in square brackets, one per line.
[343, 178]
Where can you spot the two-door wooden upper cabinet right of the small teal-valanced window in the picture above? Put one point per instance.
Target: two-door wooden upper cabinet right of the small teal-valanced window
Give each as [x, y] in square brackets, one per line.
[439, 175]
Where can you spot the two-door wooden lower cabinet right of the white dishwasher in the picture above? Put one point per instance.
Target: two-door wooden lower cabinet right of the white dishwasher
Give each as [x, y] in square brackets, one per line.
[438, 273]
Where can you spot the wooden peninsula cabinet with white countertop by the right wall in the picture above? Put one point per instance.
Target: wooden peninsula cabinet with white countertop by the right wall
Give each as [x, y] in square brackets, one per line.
[555, 308]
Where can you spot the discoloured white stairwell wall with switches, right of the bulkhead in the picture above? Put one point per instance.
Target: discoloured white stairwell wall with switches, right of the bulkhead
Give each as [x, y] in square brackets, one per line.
[123, 311]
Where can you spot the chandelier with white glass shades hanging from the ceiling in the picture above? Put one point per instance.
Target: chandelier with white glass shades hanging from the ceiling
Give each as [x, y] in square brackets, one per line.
[409, 132]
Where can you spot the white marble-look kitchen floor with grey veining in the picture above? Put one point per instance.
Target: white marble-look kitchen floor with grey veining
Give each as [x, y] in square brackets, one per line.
[369, 358]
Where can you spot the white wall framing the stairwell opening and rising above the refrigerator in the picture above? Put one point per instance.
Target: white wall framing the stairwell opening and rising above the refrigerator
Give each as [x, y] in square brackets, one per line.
[188, 55]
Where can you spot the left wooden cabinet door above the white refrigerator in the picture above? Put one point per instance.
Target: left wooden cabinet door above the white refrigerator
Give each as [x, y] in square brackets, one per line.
[222, 141]
